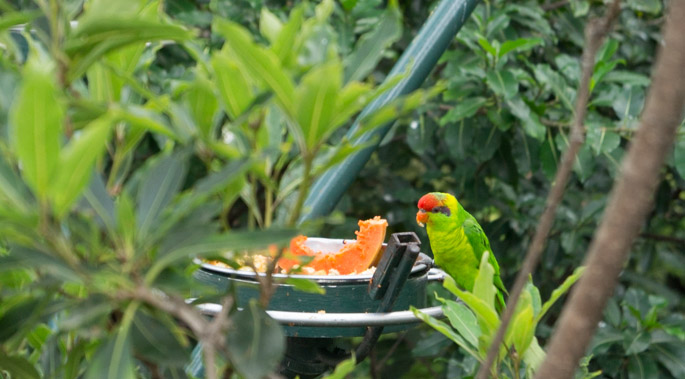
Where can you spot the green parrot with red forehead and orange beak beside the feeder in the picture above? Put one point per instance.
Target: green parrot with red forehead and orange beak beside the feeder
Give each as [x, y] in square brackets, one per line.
[457, 241]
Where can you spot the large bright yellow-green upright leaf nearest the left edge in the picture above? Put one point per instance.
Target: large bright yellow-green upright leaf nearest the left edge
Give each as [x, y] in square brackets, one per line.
[37, 117]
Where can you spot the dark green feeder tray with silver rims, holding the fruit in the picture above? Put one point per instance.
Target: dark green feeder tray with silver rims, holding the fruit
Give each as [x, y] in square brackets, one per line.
[351, 302]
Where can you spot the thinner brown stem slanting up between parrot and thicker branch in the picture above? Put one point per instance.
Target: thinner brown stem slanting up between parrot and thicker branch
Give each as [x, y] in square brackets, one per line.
[595, 32]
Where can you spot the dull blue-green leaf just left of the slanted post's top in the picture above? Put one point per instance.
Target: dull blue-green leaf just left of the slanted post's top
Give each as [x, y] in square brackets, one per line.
[370, 47]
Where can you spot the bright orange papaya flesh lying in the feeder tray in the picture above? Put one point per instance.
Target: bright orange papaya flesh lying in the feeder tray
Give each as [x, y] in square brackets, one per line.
[354, 257]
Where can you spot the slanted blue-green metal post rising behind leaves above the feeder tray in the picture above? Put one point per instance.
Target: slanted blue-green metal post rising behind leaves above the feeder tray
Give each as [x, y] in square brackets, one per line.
[421, 56]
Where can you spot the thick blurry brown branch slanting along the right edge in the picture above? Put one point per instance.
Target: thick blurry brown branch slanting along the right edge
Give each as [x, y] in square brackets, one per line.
[629, 203]
